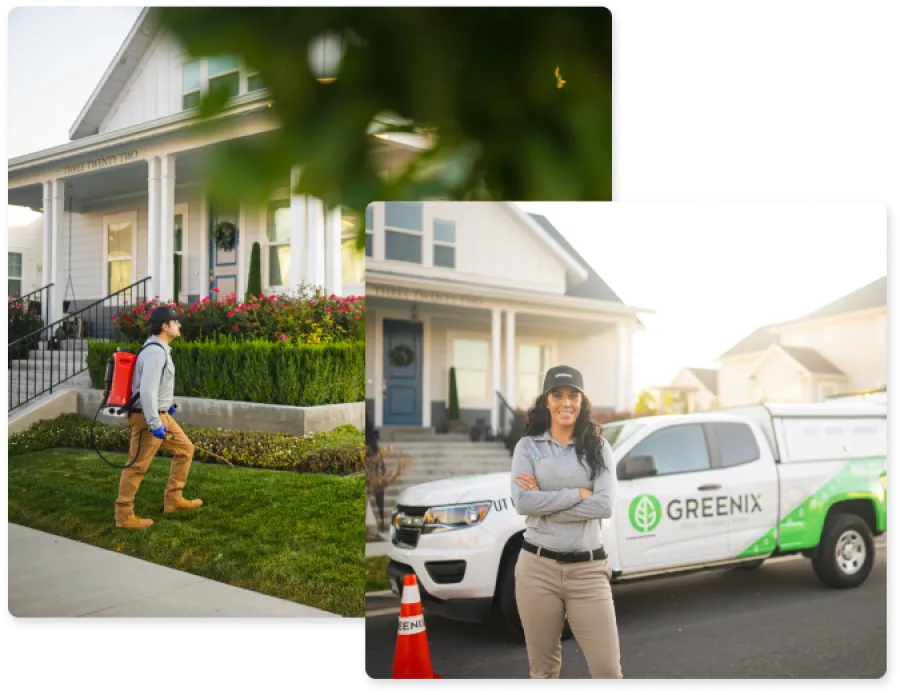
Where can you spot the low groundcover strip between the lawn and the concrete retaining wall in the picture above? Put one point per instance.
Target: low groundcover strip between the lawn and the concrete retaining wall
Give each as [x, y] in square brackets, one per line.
[338, 452]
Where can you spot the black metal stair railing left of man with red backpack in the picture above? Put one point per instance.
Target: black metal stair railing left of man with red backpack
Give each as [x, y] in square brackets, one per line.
[43, 358]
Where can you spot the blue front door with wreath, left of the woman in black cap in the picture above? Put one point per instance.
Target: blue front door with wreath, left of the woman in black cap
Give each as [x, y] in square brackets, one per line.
[402, 373]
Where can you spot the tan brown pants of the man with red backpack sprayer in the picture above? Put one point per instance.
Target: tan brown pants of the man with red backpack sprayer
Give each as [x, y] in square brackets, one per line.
[131, 478]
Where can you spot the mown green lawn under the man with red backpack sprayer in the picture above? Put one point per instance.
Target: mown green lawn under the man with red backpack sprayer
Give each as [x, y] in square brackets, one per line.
[297, 537]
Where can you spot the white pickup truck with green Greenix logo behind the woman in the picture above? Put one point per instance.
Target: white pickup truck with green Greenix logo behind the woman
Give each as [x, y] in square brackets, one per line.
[712, 490]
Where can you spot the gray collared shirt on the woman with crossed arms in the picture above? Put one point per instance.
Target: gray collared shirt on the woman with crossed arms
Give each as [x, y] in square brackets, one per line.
[556, 516]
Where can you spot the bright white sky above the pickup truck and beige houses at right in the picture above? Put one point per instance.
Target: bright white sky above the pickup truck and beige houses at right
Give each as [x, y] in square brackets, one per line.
[714, 271]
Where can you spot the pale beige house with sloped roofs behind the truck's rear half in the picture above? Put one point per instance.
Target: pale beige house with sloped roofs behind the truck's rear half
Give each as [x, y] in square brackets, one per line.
[840, 348]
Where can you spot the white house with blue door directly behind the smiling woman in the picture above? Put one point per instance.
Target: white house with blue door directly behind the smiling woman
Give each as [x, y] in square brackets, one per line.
[495, 292]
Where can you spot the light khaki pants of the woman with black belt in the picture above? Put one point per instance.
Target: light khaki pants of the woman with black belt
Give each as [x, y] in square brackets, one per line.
[546, 593]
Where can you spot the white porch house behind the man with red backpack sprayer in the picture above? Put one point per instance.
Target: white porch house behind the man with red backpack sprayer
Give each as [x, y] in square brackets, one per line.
[124, 199]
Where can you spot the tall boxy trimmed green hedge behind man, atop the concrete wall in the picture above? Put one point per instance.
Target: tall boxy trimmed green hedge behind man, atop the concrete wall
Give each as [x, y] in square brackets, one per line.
[257, 371]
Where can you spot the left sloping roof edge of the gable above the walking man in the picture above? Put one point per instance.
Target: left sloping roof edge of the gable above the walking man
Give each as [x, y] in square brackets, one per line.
[118, 73]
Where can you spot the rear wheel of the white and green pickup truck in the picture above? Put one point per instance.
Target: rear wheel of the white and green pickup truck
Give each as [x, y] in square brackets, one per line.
[846, 552]
